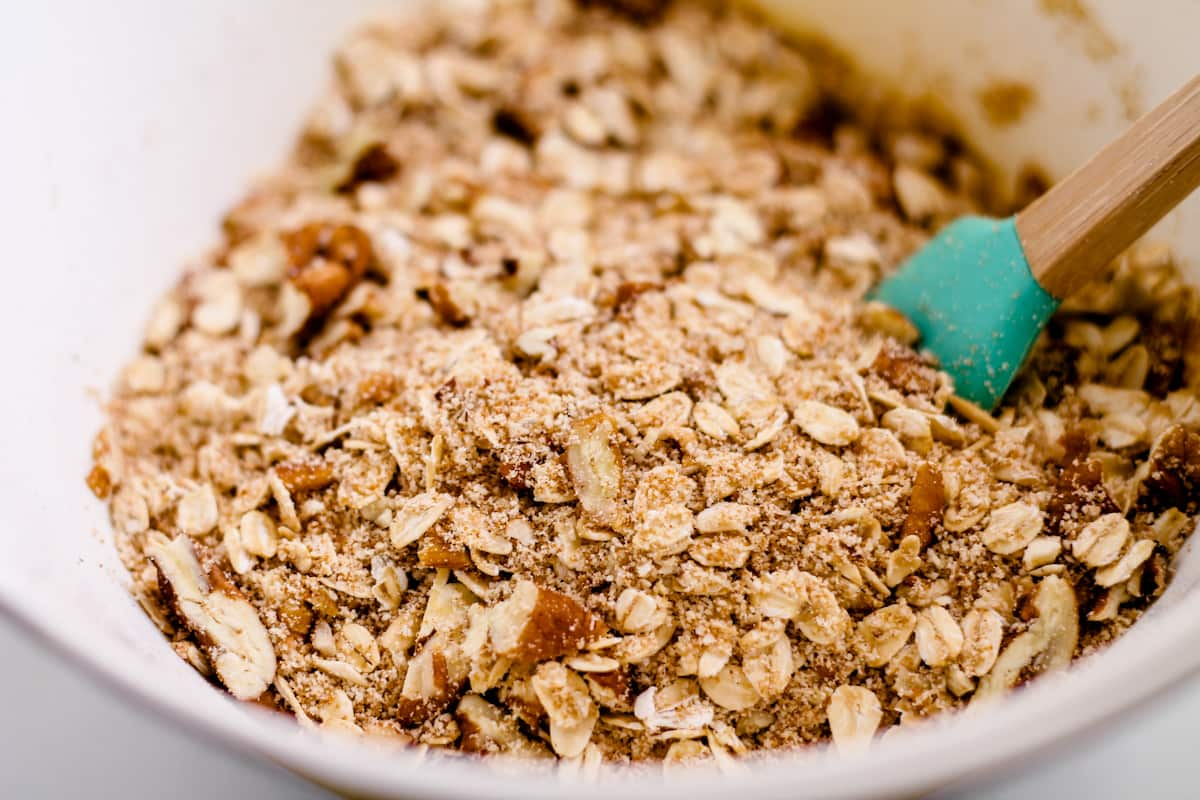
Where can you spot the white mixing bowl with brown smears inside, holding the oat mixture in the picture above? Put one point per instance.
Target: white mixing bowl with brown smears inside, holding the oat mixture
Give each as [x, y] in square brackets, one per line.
[133, 124]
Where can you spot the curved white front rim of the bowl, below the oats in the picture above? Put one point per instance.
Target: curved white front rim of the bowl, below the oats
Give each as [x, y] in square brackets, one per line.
[952, 749]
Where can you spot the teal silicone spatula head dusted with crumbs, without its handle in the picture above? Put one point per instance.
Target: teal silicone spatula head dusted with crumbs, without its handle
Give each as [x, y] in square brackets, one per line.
[976, 304]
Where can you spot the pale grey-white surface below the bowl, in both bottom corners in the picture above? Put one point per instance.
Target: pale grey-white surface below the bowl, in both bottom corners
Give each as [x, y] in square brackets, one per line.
[62, 736]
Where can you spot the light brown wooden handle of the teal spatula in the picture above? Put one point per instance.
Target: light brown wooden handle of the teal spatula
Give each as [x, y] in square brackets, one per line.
[1102, 208]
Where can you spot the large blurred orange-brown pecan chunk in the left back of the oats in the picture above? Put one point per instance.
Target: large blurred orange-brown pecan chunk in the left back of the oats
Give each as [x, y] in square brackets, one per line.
[327, 260]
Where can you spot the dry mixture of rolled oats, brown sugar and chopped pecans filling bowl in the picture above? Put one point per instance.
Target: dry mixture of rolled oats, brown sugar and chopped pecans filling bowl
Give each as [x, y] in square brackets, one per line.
[533, 408]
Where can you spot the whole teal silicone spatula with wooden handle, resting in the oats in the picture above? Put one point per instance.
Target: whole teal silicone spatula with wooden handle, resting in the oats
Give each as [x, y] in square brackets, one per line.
[982, 290]
